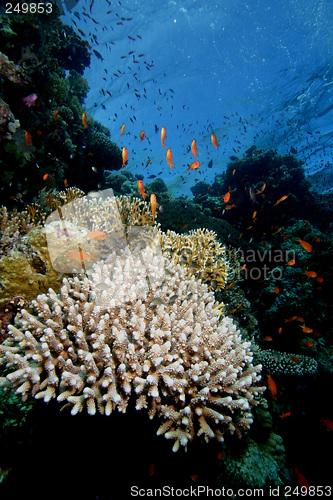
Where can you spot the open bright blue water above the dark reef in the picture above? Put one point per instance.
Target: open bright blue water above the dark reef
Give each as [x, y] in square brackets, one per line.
[253, 72]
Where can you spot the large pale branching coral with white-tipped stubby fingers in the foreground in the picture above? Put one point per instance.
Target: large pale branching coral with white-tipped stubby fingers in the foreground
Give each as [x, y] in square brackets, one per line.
[136, 326]
